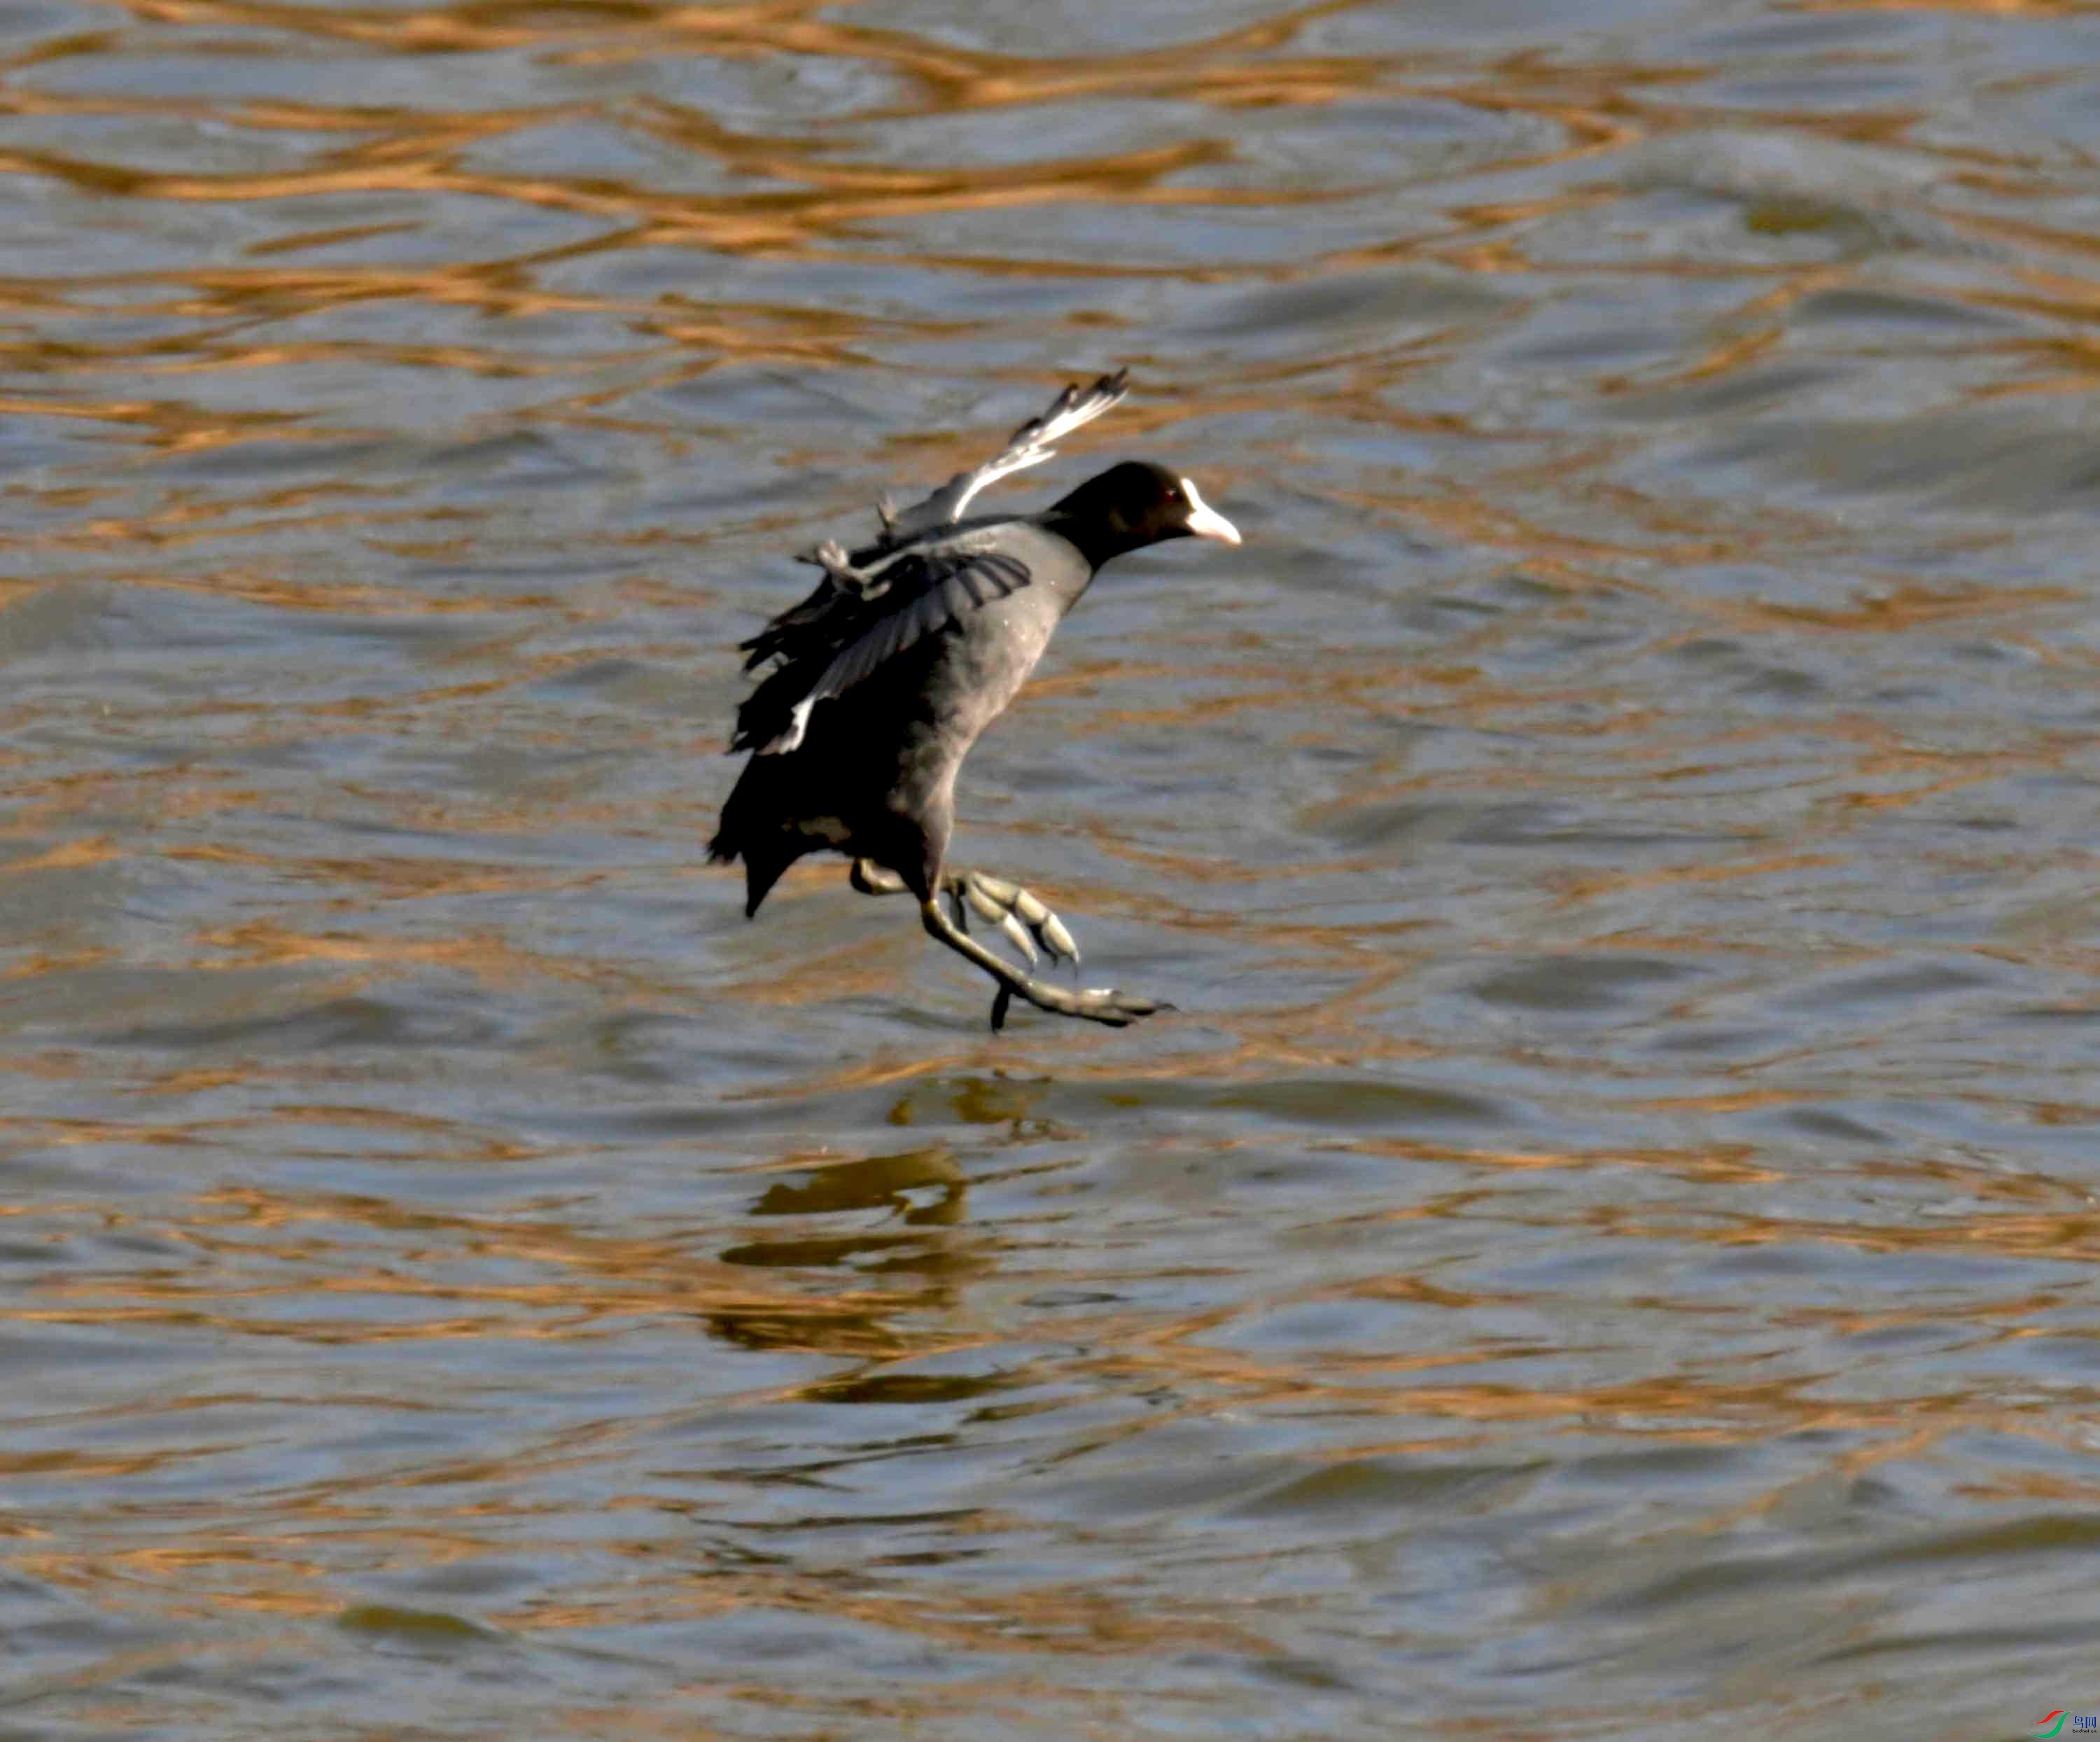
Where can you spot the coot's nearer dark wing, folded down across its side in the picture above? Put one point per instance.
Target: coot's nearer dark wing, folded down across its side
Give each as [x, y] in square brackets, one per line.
[841, 636]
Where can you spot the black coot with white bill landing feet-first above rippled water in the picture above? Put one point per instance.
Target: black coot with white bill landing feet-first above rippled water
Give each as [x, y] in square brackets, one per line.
[887, 673]
